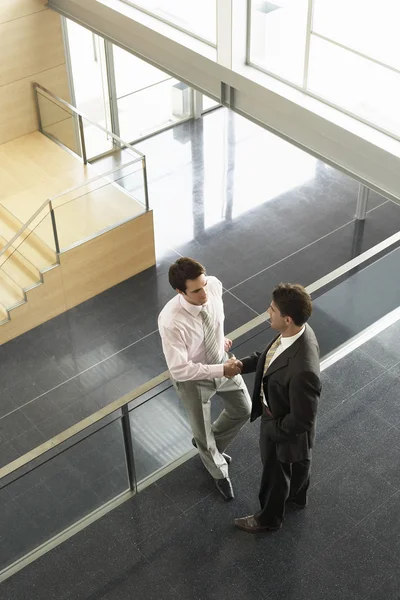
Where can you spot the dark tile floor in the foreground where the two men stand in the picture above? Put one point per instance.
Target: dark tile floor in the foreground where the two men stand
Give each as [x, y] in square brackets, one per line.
[176, 539]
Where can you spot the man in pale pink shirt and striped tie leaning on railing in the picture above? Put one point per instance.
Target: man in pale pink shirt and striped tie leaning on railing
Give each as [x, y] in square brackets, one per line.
[191, 326]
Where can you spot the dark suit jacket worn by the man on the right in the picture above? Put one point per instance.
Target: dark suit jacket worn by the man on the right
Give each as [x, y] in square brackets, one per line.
[292, 388]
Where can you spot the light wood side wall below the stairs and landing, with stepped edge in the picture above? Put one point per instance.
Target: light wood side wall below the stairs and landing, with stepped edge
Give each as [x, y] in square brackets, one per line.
[84, 272]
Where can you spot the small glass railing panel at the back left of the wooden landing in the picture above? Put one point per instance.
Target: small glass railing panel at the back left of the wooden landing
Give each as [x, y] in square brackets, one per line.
[59, 122]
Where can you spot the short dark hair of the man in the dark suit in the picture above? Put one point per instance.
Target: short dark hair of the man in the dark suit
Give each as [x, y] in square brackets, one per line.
[293, 301]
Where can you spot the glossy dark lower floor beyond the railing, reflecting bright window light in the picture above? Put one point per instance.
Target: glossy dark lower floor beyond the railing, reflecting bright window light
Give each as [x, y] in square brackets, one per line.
[254, 209]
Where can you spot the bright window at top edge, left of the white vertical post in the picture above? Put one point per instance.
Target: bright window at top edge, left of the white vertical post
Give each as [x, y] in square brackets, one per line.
[191, 16]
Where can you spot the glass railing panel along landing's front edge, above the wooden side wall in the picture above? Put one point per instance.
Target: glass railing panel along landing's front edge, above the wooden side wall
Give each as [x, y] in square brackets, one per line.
[98, 205]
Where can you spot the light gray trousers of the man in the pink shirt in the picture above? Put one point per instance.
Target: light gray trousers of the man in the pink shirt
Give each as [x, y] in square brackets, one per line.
[213, 438]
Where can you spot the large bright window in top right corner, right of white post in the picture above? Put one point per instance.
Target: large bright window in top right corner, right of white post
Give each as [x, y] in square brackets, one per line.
[346, 52]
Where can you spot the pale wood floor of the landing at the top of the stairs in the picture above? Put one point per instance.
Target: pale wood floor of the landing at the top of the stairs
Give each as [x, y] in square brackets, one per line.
[35, 168]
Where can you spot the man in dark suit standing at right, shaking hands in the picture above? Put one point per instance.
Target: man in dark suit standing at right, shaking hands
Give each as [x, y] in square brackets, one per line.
[286, 393]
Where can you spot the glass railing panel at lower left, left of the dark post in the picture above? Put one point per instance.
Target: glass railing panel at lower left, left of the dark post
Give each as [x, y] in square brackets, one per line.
[58, 493]
